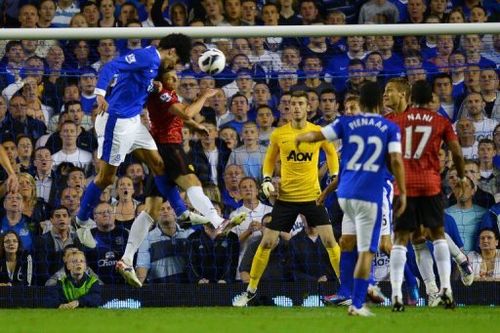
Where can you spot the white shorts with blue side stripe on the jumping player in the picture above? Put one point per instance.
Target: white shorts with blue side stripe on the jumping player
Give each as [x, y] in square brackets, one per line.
[117, 137]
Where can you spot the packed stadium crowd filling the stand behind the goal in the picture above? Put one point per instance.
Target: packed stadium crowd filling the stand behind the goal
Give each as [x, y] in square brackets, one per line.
[47, 111]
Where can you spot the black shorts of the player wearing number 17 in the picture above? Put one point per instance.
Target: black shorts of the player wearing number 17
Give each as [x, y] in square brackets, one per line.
[425, 211]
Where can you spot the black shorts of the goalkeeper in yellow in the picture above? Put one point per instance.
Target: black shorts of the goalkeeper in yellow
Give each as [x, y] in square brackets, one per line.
[285, 213]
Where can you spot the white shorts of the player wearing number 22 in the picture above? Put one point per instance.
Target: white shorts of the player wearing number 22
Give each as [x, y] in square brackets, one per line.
[366, 217]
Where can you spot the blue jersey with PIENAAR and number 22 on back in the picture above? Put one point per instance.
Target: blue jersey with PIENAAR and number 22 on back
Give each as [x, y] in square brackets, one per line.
[366, 141]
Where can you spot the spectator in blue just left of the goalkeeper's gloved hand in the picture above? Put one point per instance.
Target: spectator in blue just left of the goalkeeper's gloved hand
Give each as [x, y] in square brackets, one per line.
[231, 197]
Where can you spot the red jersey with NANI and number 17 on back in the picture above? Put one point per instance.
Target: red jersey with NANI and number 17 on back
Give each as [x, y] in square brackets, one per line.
[422, 132]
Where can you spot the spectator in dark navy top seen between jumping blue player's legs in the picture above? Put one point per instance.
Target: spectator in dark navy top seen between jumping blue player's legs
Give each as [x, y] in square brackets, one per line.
[110, 239]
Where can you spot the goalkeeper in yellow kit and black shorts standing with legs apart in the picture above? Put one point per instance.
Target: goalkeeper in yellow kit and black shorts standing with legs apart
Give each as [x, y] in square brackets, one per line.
[298, 192]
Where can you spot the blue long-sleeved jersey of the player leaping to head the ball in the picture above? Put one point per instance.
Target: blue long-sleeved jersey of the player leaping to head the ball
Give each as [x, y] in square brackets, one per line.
[131, 79]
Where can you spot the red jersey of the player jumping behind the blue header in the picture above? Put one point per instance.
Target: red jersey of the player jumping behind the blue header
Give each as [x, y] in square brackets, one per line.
[165, 126]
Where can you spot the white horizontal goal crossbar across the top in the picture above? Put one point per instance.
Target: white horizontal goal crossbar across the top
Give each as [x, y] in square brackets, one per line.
[255, 31]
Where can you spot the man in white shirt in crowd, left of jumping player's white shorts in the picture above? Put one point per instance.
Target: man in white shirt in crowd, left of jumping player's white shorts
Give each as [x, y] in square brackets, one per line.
[69, 151]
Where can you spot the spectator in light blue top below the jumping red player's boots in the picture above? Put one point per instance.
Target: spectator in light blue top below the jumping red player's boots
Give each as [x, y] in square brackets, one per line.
[162, 255]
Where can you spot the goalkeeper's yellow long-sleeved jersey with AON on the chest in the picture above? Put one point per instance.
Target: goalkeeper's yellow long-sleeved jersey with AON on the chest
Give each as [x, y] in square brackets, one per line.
[299, 168]
